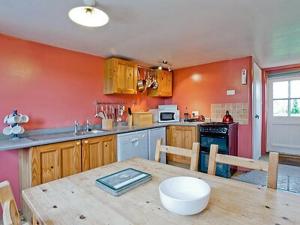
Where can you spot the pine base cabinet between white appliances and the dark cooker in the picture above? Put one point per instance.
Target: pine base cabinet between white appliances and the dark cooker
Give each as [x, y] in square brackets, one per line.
[183, 137]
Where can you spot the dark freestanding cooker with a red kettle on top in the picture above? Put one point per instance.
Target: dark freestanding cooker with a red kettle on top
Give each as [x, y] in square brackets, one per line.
[225, 135]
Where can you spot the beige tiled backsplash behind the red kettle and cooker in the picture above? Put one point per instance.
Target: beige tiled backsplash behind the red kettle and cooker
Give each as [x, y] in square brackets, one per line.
[239, 112]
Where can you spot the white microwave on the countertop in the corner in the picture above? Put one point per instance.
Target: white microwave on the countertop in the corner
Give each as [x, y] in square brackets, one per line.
[168, 113]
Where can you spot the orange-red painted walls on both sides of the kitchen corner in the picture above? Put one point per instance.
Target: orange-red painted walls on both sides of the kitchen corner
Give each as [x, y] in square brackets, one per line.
[56, 86]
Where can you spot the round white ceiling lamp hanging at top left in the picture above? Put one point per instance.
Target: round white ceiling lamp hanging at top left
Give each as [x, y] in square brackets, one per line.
[88, 15]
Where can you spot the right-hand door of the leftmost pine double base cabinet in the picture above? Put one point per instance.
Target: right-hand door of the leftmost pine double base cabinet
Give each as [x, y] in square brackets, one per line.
[70, 158]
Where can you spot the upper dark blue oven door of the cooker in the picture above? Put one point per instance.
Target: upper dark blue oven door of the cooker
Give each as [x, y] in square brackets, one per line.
[207, 139]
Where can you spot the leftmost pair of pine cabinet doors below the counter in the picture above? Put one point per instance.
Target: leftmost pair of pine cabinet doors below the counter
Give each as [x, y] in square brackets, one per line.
[54, 161]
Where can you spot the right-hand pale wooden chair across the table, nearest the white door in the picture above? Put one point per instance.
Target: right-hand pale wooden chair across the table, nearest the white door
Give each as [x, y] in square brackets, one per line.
[270, 167]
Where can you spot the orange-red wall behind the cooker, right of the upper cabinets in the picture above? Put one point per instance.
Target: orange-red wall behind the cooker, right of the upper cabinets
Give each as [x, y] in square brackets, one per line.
[210, 88]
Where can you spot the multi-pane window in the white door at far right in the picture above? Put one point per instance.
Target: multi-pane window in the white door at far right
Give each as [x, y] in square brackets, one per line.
[286, 98]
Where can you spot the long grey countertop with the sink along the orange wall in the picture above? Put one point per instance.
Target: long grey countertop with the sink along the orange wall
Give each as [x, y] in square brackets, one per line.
[50, 136]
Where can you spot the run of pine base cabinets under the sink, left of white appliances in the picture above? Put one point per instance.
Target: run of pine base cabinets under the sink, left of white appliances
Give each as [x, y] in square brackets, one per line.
[51, 162]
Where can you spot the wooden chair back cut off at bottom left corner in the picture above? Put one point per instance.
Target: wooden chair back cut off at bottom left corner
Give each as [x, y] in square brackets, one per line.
[10, 211]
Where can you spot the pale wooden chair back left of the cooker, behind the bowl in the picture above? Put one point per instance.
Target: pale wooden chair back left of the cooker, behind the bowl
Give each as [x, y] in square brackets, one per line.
[192, 153]
